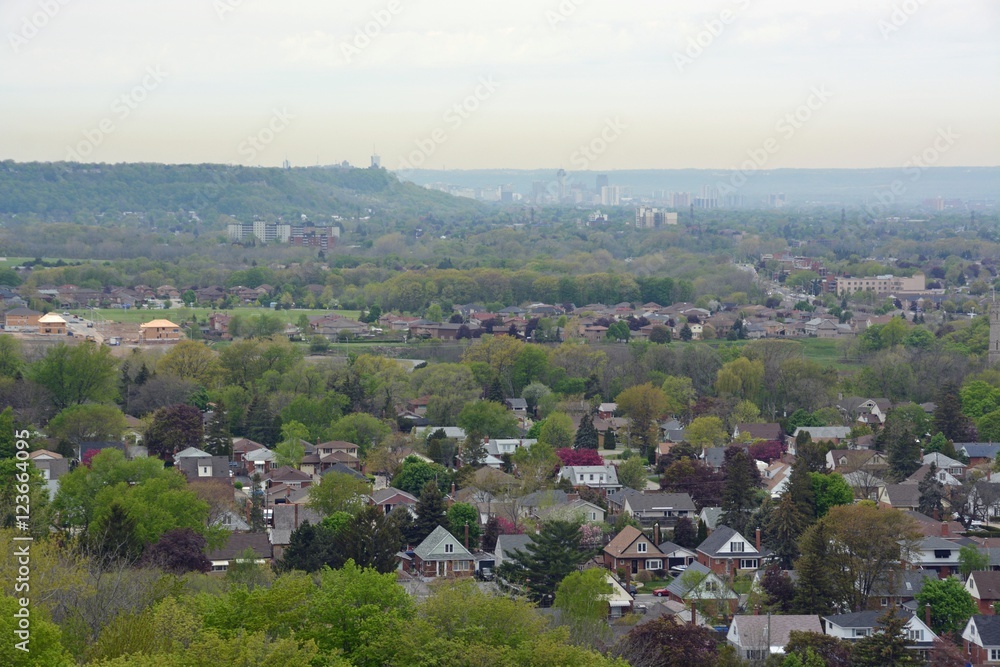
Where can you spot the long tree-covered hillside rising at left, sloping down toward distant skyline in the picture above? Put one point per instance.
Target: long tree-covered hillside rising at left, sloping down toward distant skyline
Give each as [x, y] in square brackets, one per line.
[165, 194]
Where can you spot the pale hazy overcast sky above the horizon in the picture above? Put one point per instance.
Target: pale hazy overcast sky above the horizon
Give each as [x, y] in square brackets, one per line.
[517, 84]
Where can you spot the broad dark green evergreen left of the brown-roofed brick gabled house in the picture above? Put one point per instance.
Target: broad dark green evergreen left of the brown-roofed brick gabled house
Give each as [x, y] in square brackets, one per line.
[549, 556]
